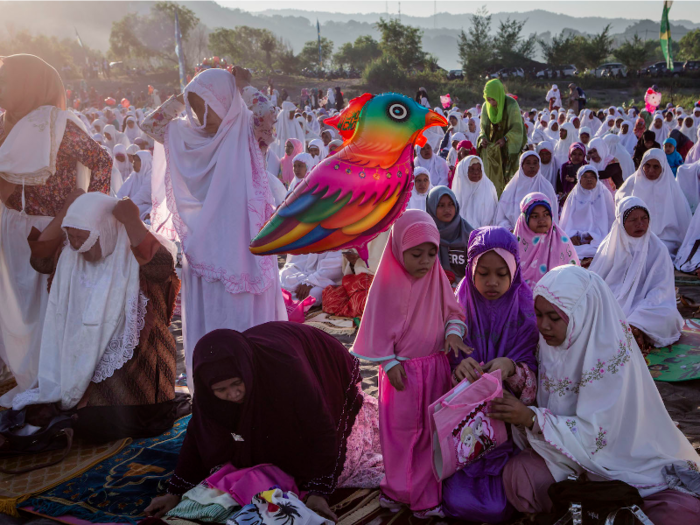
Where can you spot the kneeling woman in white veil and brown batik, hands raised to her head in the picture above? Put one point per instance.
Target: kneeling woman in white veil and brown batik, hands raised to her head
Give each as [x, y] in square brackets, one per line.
[106, 348]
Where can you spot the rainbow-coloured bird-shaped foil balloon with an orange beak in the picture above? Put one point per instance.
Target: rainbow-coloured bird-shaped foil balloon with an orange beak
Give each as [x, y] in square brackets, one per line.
[358, 192]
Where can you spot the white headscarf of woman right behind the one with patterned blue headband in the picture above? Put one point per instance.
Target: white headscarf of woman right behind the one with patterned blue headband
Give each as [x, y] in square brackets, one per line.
[665, 201]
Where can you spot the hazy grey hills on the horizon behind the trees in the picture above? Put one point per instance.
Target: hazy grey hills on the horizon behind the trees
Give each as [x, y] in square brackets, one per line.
[93, 20]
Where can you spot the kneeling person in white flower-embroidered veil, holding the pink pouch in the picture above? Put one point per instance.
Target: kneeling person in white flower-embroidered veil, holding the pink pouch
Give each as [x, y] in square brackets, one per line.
[598, 411]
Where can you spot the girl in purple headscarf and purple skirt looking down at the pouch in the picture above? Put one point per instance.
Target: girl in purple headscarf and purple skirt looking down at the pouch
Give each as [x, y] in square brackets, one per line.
[502, 330]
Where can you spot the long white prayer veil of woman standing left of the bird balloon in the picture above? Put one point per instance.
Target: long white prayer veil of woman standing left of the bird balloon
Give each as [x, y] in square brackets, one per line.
[203, 196]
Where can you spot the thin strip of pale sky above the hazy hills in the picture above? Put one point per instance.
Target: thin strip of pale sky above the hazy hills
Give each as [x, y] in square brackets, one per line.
[636, 9]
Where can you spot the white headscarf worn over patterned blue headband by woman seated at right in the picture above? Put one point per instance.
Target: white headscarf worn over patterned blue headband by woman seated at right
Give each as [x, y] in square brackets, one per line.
[640, 276]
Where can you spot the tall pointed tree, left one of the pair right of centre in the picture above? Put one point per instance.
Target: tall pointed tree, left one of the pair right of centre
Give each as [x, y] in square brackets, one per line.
[476, 50]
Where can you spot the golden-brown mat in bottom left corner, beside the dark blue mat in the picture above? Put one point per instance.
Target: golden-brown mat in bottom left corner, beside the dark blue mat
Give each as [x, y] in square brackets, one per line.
[14, 489]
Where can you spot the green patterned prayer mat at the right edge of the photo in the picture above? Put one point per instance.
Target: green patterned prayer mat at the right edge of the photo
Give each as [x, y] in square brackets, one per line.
[680, 361]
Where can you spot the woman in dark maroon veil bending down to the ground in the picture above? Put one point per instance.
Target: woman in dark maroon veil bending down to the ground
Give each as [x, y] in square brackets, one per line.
[280, 393]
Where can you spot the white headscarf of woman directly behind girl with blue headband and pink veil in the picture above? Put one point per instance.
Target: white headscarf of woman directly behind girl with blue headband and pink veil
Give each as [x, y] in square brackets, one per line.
[517, 188]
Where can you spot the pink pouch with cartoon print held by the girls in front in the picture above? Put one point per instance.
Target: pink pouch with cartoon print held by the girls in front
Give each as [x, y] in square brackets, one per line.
[460, 429]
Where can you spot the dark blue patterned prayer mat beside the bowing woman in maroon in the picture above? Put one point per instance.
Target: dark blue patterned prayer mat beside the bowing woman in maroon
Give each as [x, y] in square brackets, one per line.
[119, 489]
